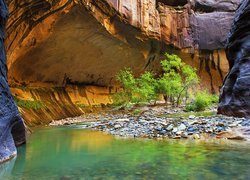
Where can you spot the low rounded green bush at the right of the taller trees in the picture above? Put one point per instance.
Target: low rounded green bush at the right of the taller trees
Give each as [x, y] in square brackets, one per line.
[202, 101]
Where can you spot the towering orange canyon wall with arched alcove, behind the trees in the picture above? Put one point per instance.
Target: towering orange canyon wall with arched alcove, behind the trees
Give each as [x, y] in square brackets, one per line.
[55, 44]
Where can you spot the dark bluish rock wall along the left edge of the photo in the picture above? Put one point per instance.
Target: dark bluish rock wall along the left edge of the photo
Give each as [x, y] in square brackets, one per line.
[11, 125]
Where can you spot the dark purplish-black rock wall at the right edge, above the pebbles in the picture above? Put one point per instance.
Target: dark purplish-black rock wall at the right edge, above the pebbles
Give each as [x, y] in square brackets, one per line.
[235, 97]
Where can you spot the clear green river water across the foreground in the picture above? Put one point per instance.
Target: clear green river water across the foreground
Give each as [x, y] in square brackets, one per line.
[73, 153]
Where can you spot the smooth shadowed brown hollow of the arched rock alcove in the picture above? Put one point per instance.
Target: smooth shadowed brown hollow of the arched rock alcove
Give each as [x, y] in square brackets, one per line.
[78, 50]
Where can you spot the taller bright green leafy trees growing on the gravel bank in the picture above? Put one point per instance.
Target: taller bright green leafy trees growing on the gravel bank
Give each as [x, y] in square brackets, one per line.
[178, 78]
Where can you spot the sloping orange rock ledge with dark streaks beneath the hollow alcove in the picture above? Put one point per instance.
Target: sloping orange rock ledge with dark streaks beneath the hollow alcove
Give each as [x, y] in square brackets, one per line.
[58, 103]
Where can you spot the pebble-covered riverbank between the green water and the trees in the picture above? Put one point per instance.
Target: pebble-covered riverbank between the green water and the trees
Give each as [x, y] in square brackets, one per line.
[159, 122]
